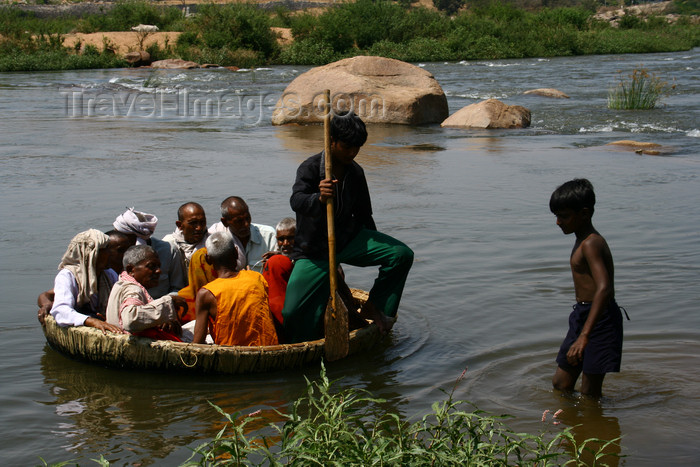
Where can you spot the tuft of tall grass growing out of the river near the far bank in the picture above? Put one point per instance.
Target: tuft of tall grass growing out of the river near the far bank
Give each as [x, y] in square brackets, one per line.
[640, 91]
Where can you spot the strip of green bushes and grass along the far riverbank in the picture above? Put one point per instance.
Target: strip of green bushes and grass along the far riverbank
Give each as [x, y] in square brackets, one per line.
[239, 34]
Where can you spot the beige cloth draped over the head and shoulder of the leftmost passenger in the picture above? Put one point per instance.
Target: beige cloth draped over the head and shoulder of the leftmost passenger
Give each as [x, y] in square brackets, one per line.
[81, 259]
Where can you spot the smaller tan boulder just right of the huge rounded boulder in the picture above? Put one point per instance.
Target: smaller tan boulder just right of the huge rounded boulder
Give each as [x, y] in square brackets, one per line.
[490, 113]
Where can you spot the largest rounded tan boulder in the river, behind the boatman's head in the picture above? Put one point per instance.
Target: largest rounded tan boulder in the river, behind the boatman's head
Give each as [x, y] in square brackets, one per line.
[378, 89]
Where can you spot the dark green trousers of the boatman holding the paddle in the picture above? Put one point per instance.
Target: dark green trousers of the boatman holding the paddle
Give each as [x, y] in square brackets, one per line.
[309, 286]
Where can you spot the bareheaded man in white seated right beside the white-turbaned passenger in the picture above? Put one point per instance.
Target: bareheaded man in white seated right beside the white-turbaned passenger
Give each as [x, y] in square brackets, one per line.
[191, 232]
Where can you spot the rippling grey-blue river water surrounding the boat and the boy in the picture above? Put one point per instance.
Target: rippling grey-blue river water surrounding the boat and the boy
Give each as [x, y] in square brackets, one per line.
[490, 288]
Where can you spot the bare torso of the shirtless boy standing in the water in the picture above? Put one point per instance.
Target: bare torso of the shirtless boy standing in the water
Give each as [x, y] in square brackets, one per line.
[584, 283]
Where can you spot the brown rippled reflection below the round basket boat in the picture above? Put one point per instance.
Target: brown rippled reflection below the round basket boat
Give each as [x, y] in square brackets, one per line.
[130, 417]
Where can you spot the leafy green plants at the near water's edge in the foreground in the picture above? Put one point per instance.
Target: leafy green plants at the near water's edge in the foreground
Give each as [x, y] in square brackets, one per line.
[351, 428]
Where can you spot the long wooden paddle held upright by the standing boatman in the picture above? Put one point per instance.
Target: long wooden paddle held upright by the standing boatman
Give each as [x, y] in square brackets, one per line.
[336, 317]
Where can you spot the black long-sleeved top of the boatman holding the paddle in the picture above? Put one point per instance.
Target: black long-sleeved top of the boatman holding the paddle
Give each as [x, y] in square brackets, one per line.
[353, 209]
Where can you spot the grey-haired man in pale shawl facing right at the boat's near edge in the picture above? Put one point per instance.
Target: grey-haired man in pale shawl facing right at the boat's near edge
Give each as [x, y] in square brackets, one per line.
[131, 307]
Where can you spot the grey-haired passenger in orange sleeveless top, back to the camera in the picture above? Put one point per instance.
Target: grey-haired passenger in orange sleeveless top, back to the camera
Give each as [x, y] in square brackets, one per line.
[233, 307]
